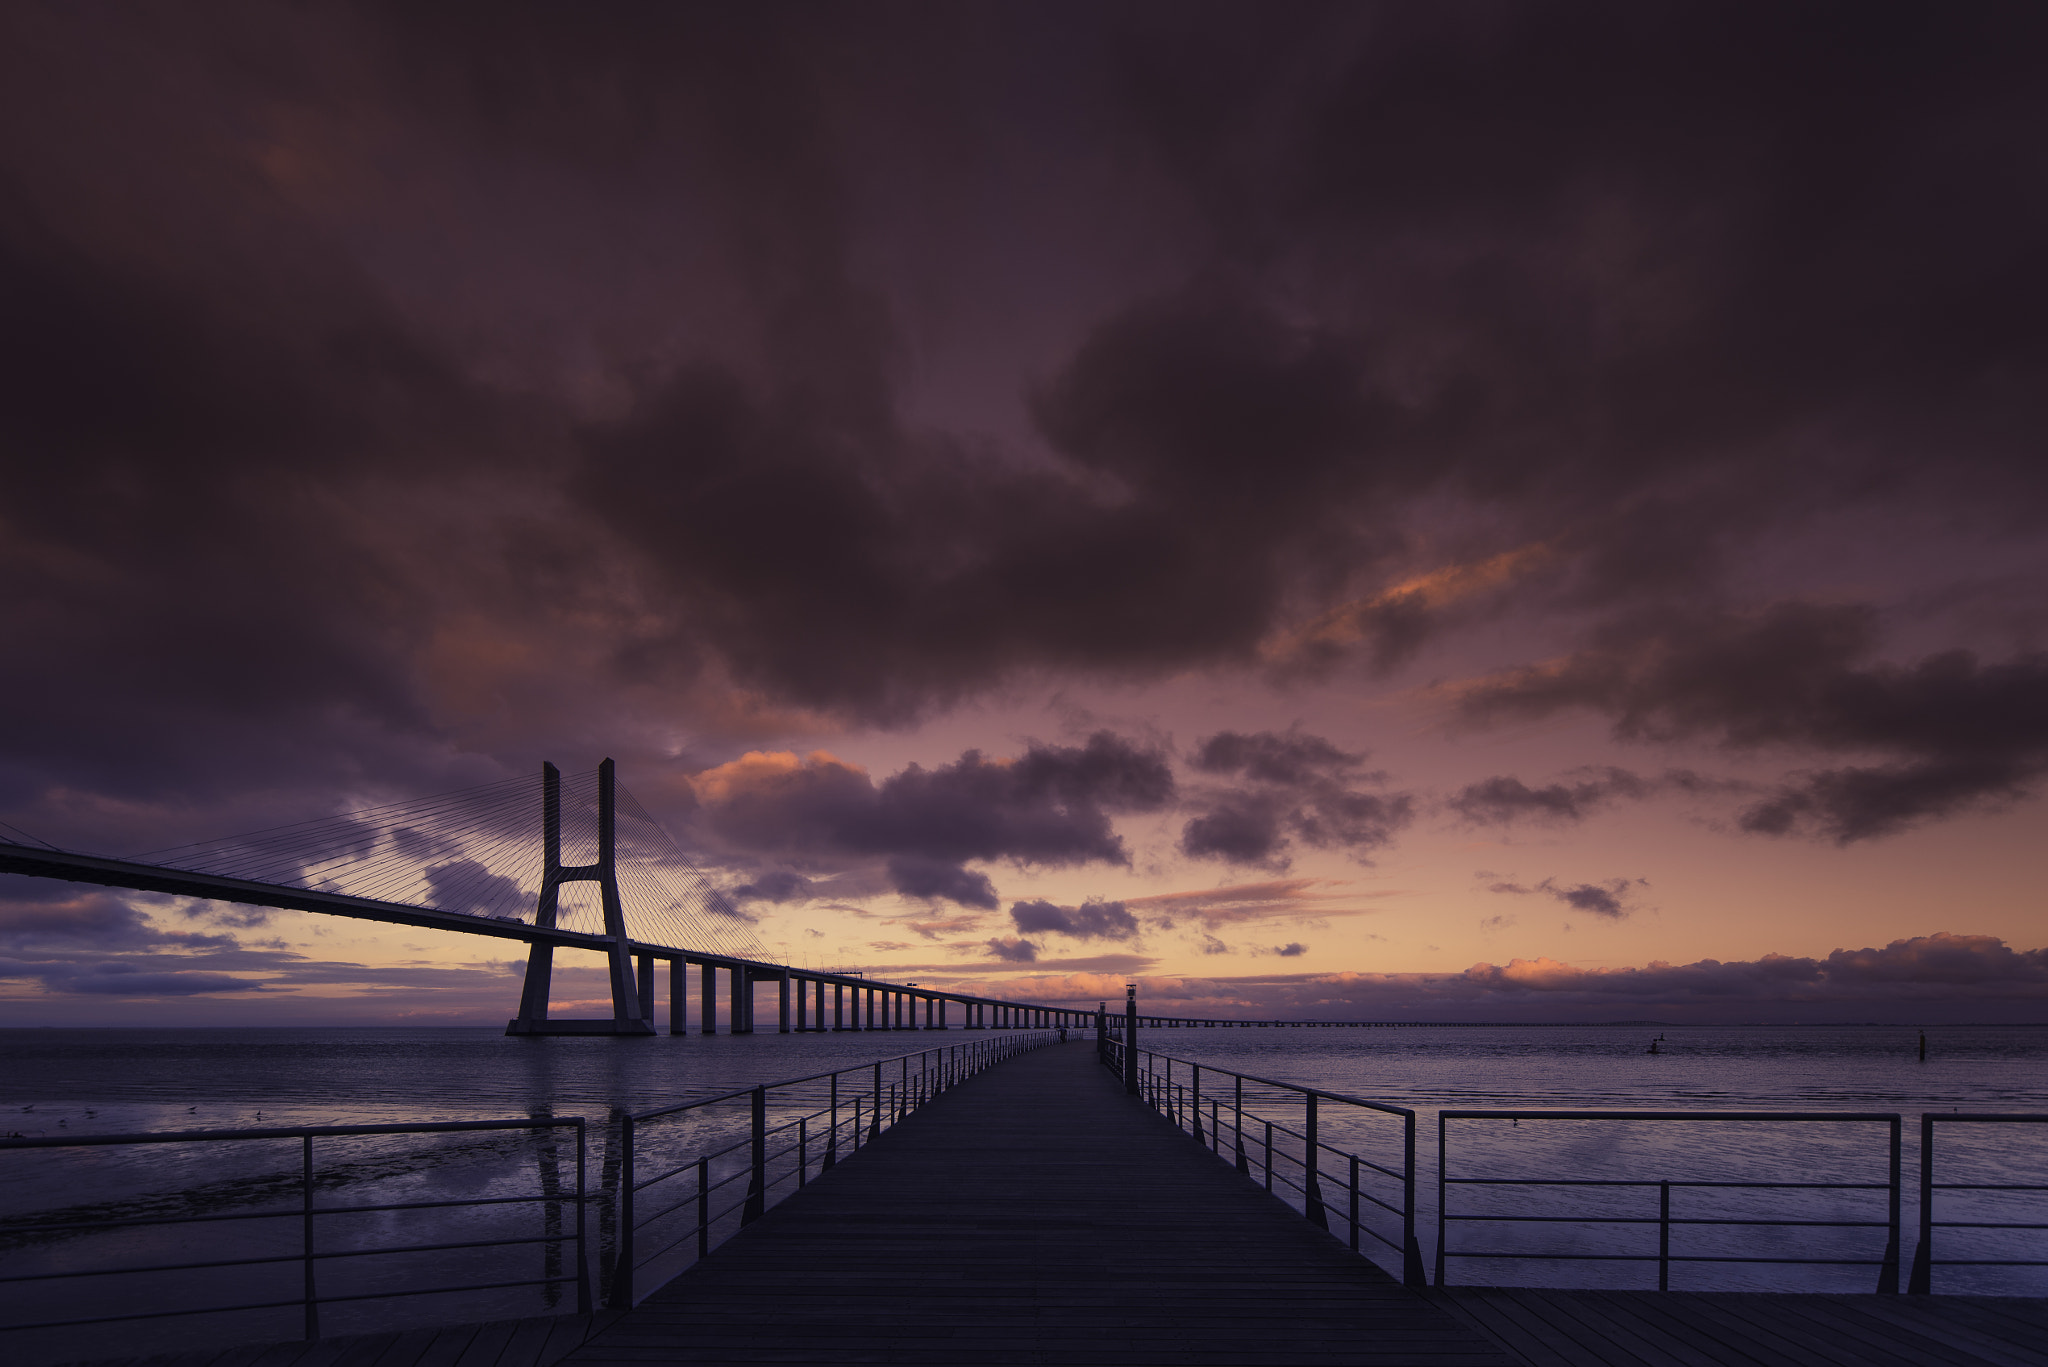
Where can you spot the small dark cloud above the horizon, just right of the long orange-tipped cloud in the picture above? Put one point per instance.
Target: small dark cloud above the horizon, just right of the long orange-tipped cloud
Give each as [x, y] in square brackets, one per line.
[1302, 788]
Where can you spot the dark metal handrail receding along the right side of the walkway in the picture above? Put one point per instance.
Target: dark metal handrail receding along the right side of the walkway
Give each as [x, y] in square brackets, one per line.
[1183, 1106]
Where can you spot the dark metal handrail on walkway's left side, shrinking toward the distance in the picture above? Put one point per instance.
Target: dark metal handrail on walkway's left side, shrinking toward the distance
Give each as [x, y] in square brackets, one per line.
[880, 1104]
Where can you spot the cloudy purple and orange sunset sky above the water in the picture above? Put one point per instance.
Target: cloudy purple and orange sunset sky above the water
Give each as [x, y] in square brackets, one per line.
[1326, 511]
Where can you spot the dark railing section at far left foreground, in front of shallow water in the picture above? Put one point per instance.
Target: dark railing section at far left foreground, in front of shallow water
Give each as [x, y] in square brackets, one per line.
[294, 1253]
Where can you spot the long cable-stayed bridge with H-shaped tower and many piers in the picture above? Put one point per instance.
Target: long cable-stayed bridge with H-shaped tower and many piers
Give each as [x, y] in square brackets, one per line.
[558, 862]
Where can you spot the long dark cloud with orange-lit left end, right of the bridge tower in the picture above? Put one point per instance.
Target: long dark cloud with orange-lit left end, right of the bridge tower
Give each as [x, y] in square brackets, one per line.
[1050, 806]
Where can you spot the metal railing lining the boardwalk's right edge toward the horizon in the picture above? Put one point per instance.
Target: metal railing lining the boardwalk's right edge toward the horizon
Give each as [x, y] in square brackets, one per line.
[1287, 1157]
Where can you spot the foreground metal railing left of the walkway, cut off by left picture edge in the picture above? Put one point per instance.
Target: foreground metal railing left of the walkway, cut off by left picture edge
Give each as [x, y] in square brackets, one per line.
[308, 1216]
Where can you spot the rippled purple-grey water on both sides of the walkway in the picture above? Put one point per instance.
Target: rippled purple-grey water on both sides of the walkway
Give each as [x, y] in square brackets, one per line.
[122, 1081]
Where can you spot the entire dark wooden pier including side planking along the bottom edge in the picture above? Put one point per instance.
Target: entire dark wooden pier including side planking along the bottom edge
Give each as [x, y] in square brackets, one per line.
[1037, 1214]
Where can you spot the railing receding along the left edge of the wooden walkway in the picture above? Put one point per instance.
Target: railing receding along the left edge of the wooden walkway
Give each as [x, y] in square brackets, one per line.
[695, 1173]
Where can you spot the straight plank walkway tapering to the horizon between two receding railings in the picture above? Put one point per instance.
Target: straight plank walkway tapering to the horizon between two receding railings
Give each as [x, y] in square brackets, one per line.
[1035, 1216]
